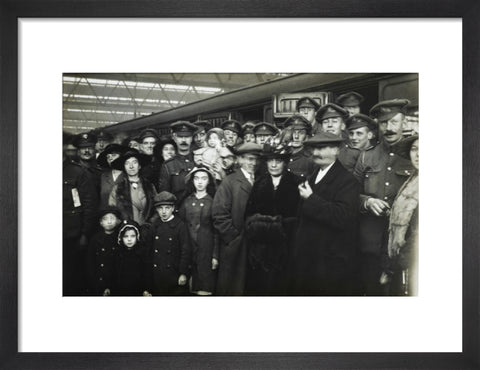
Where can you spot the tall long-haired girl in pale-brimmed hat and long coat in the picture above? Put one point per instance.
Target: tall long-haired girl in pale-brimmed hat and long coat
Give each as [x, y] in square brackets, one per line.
[196, 210]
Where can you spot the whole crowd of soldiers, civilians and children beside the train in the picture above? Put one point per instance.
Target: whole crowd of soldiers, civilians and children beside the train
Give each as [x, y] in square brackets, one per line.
[326, 205]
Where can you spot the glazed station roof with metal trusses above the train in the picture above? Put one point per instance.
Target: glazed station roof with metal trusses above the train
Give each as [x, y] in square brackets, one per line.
[95, 100]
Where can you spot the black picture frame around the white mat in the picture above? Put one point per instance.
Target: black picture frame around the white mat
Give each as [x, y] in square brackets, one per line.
[11, 10]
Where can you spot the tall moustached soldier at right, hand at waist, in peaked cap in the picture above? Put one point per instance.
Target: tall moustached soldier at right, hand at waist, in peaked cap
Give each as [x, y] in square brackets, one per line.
[381, 172]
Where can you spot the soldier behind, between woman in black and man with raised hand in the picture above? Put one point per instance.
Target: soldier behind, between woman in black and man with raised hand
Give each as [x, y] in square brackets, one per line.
[299, 129]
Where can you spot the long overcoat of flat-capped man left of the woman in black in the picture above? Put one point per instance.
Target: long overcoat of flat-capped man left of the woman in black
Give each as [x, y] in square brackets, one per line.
[228, 218]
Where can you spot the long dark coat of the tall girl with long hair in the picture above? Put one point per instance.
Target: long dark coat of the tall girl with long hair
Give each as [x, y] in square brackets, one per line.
[197, 214]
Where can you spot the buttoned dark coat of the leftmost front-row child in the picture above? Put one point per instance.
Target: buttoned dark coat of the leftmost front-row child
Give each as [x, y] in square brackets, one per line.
[101, 256]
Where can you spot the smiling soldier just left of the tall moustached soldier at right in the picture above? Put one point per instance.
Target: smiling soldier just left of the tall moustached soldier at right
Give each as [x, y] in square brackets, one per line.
[361, 130]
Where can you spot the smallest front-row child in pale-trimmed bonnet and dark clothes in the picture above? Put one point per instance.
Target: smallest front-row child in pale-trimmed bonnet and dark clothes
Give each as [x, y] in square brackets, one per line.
[131, 262]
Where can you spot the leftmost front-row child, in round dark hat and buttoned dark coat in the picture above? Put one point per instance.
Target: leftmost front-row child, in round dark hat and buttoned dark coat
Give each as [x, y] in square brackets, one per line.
[101, 253]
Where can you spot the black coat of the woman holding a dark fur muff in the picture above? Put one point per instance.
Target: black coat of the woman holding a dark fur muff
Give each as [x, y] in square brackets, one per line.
[267, 272]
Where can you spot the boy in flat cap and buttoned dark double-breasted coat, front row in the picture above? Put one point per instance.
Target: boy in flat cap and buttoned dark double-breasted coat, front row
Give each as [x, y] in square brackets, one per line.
[169, 247]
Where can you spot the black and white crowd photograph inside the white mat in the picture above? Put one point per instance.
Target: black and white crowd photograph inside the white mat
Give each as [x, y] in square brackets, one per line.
[240, 184]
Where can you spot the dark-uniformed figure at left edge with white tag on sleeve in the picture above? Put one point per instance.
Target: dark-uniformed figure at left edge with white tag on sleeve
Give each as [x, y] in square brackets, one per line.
[79, 207]
